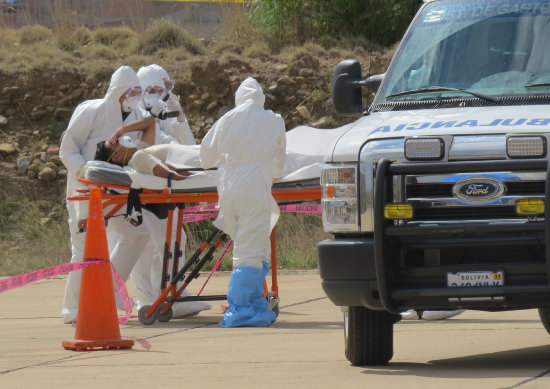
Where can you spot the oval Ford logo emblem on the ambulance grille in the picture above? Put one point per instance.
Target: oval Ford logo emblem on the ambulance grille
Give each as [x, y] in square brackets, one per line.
[478, 189]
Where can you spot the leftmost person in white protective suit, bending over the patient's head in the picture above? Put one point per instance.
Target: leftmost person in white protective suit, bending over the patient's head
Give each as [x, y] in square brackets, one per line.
[91, 122]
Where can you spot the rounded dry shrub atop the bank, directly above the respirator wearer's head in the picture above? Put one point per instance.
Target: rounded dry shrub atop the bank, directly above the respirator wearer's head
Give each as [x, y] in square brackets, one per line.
[164, 34]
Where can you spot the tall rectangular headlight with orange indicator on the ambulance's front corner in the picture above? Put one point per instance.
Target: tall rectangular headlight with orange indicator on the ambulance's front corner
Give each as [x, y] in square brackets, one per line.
[339, 200]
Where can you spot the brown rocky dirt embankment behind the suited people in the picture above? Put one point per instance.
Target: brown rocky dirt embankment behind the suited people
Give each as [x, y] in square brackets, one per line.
[35, 108]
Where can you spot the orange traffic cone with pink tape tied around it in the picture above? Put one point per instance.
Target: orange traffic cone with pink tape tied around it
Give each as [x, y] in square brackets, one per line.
[97, 321]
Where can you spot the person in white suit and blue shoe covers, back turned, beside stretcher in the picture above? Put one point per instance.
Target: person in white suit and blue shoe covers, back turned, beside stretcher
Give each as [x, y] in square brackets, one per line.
[247, 145]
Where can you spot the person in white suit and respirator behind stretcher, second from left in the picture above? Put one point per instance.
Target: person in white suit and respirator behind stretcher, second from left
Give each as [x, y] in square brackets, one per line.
[146, 275]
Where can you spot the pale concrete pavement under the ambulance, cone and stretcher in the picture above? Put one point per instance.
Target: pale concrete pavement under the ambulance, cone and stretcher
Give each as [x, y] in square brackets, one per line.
[303, 349]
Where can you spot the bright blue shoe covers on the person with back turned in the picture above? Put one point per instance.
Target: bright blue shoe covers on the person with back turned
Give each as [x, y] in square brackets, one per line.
[247, 307]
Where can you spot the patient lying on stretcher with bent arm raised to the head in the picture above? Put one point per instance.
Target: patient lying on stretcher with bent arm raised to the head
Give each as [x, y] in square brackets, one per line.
[146, 157]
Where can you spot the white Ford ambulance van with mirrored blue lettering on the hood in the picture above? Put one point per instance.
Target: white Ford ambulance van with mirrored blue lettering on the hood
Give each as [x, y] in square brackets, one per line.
[436, 196]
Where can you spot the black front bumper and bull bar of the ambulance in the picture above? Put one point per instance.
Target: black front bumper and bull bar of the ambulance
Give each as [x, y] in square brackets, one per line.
[403, 278]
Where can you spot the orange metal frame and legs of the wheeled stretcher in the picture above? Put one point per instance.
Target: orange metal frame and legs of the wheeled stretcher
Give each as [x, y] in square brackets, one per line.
[169, 294]
